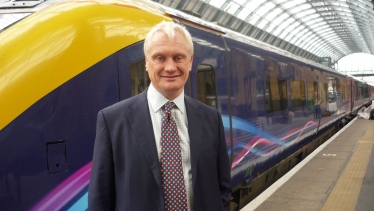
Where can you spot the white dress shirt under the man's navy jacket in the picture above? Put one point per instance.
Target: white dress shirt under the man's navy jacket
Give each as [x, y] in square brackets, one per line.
[156, 101]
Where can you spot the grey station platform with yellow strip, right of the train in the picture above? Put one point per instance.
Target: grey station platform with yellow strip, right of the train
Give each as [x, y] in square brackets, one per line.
[337, 176]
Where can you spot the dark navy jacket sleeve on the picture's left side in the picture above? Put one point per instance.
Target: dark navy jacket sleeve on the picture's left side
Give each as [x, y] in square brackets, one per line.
[101, 192]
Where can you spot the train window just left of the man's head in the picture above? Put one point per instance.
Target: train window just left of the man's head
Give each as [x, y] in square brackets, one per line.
[139, 77]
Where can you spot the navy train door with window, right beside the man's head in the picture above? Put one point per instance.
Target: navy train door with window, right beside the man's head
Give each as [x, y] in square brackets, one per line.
[208, 81]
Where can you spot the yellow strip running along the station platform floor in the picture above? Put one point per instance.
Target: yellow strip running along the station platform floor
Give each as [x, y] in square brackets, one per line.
[346, 191]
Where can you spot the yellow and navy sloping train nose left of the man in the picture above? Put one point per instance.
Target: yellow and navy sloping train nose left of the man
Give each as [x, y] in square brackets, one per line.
[58, 67]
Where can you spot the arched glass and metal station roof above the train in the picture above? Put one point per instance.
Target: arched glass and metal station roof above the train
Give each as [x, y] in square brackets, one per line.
[312, 29]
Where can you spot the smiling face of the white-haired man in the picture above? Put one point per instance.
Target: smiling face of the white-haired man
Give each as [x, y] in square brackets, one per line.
[168, 63]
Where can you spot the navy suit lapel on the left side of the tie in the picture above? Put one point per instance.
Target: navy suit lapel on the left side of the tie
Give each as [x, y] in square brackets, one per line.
[141, 125]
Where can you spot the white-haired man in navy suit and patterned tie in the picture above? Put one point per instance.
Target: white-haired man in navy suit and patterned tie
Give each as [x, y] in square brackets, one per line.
[132, 160]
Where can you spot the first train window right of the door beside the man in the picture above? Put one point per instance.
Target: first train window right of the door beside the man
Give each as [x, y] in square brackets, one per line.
[275, 94]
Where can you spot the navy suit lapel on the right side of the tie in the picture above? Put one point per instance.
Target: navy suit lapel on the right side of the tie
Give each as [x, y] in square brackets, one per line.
[195, 130]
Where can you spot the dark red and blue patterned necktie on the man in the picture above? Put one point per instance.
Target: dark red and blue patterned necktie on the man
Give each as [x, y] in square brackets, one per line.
[171, 164]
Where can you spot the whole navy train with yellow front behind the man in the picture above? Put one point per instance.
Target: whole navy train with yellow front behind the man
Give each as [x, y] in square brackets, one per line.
[63, 61]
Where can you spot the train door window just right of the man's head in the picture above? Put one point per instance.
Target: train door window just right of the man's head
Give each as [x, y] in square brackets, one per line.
[206, 85]
